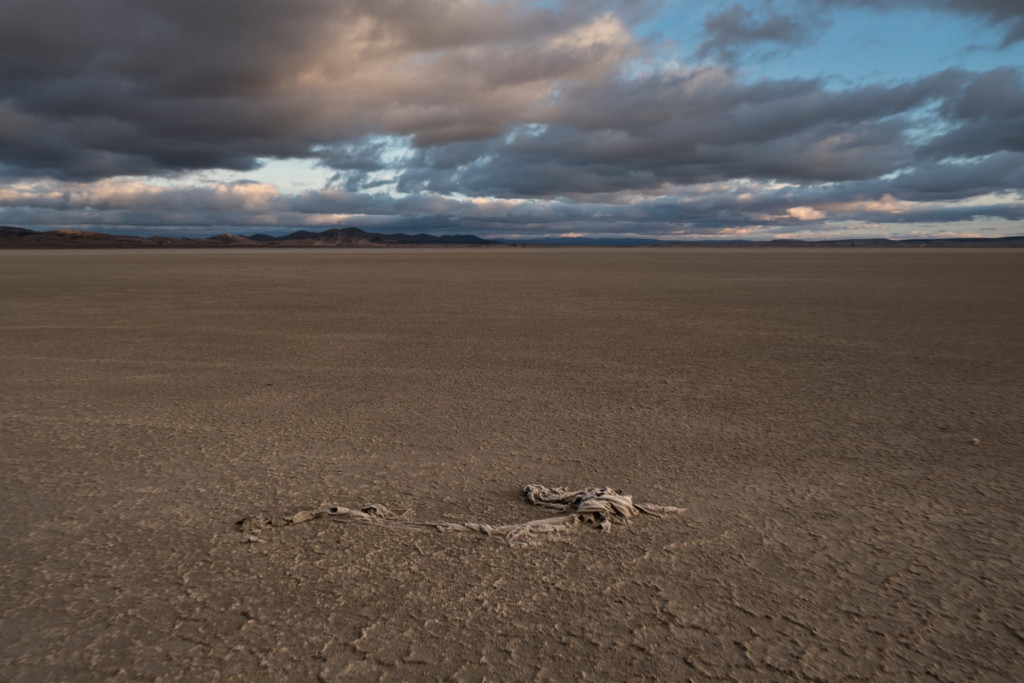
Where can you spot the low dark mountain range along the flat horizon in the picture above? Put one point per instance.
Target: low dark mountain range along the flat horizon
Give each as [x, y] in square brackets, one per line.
[20, 238]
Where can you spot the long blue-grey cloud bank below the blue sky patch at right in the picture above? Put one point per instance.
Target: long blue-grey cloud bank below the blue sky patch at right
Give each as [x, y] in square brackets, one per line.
[706, 125]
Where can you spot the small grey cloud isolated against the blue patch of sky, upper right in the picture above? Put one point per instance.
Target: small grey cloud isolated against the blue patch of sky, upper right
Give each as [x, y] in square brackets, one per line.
[730, 32]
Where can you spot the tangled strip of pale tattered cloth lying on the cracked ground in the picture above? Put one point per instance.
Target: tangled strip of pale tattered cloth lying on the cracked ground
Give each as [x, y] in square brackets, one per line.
[600, 508]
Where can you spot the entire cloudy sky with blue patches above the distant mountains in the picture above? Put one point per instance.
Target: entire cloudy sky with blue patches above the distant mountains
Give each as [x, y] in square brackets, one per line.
[511, 119]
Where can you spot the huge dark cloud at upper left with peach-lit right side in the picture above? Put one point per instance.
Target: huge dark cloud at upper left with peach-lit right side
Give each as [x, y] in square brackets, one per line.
[107, 88]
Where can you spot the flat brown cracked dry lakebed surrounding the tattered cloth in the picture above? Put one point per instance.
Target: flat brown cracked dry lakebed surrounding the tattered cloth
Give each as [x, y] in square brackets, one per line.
[814, 411]
